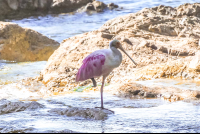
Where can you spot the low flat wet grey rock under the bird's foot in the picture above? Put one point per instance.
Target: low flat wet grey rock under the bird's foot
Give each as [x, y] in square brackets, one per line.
[88, 113]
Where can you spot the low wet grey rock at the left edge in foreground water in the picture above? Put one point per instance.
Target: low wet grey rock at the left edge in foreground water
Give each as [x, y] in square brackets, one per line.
[10, 107]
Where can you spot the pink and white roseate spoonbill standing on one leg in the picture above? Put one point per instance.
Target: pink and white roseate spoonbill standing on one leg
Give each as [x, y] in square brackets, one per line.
[101, 63]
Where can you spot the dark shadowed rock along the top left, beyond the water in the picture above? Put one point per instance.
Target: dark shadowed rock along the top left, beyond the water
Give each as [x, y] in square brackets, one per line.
[23, 8]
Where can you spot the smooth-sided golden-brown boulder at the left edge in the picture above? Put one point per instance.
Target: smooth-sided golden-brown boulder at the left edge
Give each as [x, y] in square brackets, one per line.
[23, 44]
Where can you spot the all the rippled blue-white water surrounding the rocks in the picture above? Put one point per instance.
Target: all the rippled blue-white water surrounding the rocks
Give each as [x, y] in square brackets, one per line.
[131, 115]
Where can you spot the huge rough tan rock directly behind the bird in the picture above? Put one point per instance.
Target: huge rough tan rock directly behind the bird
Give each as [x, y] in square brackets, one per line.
[164, 41]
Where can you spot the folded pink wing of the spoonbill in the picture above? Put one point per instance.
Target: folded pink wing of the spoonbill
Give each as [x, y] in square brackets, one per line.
[91, 67]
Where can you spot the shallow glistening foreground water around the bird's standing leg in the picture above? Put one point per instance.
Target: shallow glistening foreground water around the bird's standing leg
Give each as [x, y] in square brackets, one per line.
[131, 115]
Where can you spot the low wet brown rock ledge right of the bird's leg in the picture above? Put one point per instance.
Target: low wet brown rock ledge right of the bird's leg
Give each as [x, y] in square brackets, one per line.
[135, 90]
